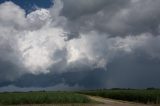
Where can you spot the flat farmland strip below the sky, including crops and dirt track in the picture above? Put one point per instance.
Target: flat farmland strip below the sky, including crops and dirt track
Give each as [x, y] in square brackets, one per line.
[82, 98]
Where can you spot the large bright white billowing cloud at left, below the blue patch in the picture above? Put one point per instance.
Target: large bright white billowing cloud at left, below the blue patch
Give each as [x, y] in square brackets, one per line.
[29, 41]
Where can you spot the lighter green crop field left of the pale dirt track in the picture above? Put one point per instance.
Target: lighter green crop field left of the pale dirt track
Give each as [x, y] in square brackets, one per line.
[42, 98]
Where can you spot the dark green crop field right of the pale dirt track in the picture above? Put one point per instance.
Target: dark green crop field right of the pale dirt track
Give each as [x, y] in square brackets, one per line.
[141, 96]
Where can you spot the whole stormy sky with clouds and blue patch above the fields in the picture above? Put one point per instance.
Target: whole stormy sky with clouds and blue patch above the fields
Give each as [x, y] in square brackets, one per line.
[79, 44]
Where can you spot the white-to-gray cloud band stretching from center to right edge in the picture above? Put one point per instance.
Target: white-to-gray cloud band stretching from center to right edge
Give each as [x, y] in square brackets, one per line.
[97, 51]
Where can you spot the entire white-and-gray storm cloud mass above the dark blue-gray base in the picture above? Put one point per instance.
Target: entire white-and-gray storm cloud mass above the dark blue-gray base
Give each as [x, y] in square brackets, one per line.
[59, 40]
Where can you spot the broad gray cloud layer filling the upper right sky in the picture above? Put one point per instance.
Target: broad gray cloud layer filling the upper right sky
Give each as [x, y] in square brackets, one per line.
[116, 18]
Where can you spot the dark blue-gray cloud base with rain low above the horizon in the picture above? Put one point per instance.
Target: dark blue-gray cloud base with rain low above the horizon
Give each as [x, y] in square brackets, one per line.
[124, 72]
